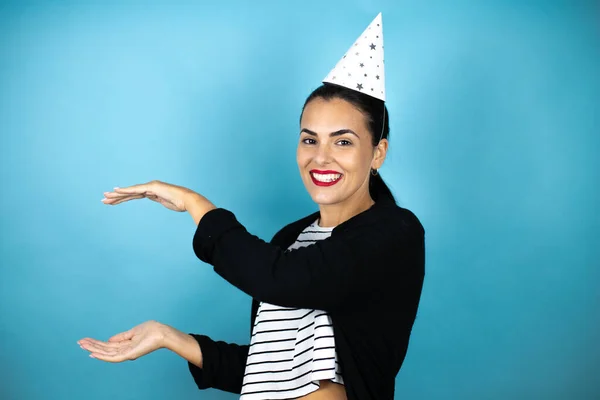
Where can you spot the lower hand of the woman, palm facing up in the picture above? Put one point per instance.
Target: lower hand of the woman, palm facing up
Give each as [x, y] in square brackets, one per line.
[127, 346]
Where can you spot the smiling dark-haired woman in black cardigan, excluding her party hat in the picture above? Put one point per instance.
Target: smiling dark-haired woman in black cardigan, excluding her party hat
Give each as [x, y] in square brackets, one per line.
[335, 294]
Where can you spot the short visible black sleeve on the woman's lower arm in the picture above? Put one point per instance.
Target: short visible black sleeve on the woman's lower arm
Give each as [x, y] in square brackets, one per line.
[223, 365]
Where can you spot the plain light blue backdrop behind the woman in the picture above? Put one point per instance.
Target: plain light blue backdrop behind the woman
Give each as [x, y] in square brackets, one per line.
[495, 117]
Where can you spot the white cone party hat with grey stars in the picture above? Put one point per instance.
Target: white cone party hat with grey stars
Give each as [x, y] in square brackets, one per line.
[361, 68]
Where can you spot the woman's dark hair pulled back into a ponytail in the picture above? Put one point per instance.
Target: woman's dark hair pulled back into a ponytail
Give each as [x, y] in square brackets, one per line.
[377, 120]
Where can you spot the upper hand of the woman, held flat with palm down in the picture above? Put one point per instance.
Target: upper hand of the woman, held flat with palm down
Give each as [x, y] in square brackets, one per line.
[171, 196]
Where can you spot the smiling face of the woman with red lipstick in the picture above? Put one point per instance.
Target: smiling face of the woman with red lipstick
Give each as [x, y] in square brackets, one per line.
[335, 151]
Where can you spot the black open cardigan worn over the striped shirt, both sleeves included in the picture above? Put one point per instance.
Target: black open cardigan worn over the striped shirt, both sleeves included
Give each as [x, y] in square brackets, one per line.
[367, 275]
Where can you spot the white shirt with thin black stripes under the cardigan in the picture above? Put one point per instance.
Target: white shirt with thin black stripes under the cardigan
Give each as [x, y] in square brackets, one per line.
[291, 349]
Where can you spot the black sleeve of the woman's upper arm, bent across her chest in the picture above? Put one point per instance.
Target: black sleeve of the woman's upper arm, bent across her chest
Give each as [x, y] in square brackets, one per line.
[321, 276]
